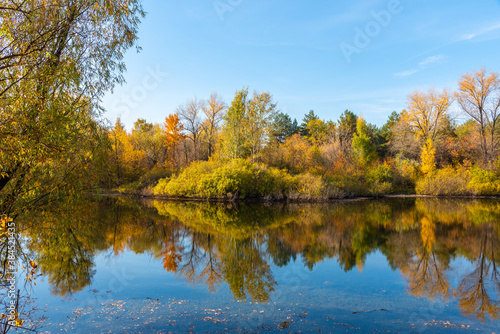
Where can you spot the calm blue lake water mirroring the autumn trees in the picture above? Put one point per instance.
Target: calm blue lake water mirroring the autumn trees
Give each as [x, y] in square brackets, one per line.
[392, 265]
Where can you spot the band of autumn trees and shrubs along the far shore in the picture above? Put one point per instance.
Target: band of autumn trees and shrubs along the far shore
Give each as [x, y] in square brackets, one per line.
[443, 143]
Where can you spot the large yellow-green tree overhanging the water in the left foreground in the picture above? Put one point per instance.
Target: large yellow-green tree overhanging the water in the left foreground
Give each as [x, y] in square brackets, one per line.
[57, 59]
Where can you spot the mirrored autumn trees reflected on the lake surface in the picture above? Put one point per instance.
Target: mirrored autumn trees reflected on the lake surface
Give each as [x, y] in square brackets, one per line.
[212, 243]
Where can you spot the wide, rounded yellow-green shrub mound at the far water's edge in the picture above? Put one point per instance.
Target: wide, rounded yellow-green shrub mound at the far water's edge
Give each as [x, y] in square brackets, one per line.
[243, 179]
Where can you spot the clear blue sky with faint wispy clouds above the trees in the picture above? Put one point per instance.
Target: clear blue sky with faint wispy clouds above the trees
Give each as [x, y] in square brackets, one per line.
[325, 55]
